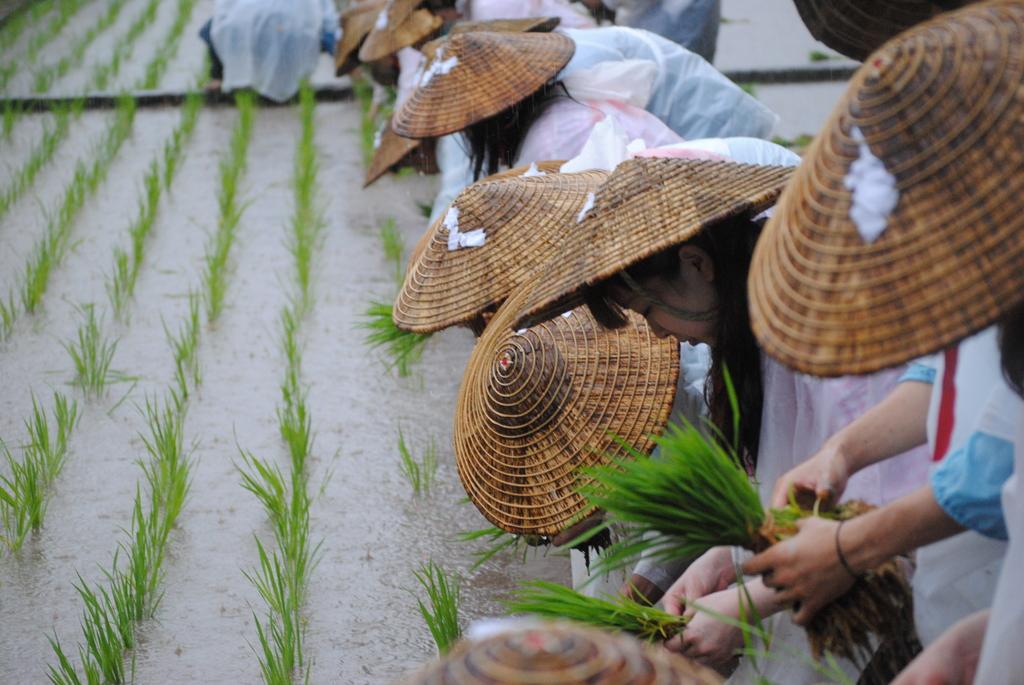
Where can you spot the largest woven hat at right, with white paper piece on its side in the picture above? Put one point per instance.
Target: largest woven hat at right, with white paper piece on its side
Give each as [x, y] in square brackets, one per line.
[936, 119]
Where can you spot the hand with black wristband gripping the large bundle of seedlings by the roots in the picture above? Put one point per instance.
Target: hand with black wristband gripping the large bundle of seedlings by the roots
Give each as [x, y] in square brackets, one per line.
[805, 570]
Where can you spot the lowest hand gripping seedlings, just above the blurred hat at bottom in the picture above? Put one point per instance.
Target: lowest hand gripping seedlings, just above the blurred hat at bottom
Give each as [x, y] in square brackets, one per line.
[707, 639]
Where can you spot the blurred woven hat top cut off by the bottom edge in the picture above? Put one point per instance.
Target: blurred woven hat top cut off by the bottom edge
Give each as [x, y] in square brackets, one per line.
[562, 654]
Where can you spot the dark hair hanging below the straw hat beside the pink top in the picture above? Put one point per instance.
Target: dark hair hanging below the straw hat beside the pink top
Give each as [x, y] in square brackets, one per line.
[495, 142]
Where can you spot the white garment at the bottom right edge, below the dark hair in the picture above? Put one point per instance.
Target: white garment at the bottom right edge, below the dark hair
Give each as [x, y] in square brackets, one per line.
[1002, 657]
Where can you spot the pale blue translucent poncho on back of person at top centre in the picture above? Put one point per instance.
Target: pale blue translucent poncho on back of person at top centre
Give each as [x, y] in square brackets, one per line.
[689, 95]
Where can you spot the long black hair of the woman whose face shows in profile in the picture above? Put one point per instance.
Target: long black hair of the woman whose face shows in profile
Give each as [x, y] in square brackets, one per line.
[731, 246]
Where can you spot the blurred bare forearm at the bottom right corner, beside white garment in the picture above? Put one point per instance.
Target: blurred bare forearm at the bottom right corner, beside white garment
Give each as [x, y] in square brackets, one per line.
[953, 660]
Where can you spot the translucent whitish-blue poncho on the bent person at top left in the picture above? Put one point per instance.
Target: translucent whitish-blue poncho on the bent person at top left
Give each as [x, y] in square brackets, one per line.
[270, 46]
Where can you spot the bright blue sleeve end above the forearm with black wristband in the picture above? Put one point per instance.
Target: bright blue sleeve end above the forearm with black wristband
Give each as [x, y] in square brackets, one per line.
[968, 485]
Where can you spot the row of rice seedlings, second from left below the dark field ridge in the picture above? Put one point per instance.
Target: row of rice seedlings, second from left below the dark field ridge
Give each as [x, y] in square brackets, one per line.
[49, 252]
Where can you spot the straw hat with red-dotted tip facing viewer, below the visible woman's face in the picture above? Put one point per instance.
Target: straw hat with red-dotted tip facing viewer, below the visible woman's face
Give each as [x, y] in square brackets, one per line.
[537, 406]
